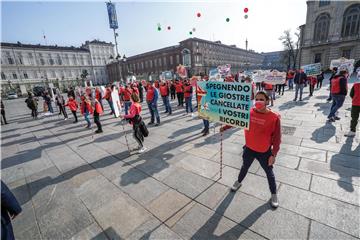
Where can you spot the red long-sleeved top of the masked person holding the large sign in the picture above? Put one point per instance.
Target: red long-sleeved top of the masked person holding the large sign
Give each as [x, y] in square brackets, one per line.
[264, 132]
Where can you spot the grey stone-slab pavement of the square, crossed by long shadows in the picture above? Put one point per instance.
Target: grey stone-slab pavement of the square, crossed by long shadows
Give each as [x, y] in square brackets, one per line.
[74, 184]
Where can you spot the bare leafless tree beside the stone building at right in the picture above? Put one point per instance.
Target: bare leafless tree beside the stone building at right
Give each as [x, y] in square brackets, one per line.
[291, 48]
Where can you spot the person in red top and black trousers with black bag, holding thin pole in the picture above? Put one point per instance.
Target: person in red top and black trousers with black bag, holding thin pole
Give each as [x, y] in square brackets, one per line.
[135, 119]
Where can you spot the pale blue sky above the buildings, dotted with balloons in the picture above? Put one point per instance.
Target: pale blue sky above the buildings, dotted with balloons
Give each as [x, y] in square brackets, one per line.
[72, 23]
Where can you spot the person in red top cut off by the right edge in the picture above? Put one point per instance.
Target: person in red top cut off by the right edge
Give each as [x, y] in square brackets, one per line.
[355, 108]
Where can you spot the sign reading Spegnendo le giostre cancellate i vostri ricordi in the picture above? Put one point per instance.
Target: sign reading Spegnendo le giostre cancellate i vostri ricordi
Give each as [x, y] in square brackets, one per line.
[225, 102]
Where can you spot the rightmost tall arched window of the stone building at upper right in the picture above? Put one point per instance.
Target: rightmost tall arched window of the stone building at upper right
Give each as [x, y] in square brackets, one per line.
[351, 21]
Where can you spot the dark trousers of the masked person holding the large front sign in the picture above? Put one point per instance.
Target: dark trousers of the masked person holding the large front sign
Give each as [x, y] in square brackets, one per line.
[248, 158]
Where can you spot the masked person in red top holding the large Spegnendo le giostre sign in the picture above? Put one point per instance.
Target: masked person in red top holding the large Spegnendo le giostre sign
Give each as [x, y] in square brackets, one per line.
[262, 141]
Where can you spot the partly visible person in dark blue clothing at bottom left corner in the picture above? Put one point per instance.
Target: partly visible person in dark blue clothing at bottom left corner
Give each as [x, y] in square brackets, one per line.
[10, 209]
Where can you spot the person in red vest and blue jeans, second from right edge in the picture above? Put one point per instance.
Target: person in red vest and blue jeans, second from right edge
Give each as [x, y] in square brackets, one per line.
[338, 93]
